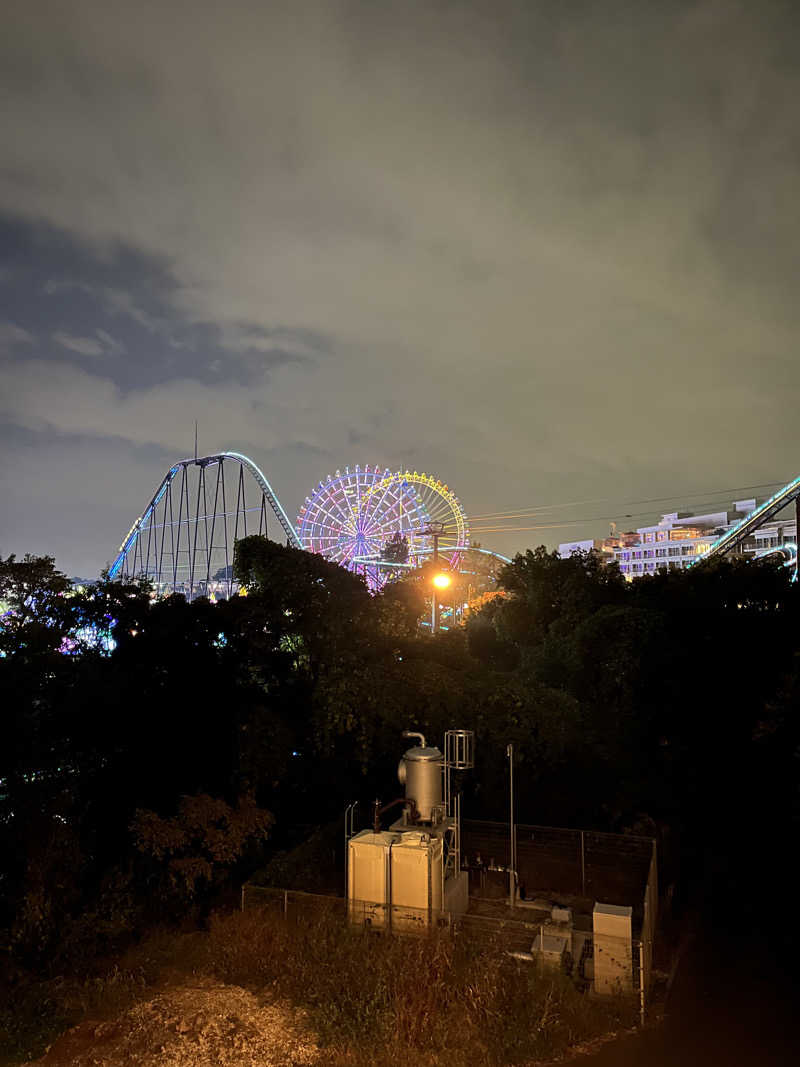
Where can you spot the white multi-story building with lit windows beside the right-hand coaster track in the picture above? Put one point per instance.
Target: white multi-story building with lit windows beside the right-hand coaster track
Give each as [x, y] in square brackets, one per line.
[681, 537]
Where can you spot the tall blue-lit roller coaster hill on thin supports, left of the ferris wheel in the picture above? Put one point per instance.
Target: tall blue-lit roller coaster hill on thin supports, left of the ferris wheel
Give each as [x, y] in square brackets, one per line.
[180, 544]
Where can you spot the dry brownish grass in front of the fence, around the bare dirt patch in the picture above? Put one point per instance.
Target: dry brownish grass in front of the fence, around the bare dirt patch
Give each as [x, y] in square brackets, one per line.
[373, 998]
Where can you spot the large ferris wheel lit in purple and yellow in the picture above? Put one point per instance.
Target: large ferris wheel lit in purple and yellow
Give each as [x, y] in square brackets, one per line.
[351, 518]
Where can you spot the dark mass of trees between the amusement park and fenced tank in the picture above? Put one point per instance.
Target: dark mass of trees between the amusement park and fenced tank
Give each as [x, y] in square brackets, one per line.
[145, 742]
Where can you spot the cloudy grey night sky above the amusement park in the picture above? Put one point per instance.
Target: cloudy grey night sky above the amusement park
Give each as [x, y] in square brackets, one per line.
[548, 251]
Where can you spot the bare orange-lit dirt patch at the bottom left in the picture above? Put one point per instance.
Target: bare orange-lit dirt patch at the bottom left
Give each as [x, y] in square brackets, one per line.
[196, 1025]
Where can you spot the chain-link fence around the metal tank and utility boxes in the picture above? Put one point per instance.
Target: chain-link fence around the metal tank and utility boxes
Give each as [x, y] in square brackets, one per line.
[573, 868]
